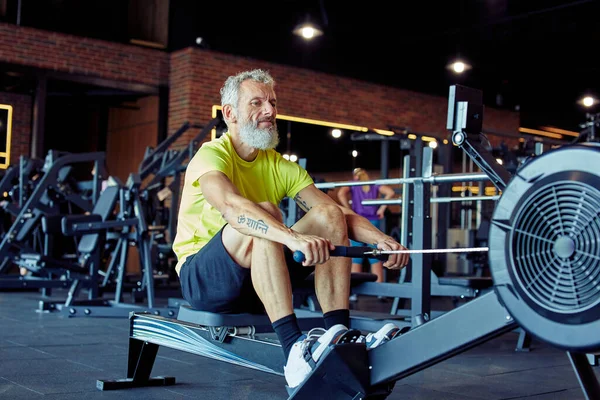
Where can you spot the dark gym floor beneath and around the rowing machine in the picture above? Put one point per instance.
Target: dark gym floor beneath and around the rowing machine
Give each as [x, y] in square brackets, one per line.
[46, 355]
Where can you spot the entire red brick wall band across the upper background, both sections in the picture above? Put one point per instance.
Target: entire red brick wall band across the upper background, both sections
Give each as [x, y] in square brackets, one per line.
[195, 76]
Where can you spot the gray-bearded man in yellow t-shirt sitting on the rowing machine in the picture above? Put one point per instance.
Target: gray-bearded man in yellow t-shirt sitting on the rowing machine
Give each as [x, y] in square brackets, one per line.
[234, 251]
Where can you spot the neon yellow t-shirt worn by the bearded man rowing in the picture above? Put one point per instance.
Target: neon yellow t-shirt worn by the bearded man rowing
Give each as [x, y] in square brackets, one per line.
[269, 177]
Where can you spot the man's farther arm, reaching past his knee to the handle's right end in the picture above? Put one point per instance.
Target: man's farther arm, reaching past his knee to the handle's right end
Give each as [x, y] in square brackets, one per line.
[359, 228]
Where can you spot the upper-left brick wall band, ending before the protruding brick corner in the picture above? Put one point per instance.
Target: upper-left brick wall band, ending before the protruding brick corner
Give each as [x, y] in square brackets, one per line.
[83, 56]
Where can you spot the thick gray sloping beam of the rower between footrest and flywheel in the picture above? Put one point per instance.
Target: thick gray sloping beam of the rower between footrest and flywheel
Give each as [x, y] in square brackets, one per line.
[458, 330]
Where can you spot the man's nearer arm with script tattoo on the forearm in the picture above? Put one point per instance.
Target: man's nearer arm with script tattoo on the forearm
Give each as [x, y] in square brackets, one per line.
[248, 218]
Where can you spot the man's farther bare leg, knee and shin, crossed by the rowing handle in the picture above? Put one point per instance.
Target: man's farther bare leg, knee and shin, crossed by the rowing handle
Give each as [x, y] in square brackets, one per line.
[332, 279]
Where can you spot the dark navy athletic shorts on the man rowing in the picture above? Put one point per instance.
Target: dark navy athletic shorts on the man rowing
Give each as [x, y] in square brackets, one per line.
[212, 281]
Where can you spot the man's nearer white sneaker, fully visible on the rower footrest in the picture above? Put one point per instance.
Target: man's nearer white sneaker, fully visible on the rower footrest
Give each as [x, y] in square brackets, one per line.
[307, 350]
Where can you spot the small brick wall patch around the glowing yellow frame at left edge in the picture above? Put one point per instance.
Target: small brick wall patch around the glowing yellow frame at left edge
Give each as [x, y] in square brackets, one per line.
[21, 124]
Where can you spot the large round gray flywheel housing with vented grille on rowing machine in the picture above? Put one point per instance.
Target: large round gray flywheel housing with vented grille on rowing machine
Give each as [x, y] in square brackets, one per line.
[545, 247]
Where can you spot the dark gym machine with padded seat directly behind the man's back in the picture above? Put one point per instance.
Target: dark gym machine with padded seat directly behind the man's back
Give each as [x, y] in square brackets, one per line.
[158, 164]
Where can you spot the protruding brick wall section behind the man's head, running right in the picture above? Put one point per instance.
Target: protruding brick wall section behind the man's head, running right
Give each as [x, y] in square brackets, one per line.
[197, 75]
